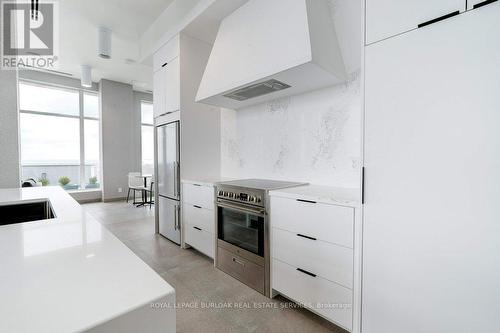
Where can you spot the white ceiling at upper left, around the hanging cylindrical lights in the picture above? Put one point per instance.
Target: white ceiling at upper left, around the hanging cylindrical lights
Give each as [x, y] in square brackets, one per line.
[128, 20]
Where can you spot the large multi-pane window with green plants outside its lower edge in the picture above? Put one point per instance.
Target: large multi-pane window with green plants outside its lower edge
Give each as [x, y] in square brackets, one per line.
[59, 136]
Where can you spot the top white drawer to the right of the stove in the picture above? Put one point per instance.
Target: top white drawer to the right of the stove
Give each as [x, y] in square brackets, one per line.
[330, 223]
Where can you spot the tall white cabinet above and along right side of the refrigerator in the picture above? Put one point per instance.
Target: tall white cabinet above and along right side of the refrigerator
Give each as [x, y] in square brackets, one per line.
[178, 67]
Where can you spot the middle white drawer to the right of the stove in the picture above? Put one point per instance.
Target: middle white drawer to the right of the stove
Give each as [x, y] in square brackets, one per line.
[330, 261]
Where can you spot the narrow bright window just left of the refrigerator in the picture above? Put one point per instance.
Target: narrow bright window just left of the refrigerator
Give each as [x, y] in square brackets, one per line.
[147, 137]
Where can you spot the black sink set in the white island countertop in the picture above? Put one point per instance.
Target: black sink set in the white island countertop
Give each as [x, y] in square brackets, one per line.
[25, 212]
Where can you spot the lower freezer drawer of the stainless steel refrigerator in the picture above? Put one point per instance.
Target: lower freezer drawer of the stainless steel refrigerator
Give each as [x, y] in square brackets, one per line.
[169, 219]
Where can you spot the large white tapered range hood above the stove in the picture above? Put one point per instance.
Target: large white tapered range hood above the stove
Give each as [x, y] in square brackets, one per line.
[268, 49]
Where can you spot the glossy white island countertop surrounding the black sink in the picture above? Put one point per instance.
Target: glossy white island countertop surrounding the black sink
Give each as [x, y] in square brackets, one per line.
[68, 274]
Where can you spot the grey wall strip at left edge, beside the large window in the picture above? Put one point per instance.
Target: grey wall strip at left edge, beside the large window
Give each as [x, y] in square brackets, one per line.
[9, 130]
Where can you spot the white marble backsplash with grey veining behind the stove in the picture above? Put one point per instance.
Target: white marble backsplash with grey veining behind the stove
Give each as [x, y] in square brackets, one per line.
[313, 137]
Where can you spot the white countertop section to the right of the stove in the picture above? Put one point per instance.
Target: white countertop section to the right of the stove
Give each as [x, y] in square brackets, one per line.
[325, 194]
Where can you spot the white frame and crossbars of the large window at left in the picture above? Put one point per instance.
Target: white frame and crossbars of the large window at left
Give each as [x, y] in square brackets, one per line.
[81, 117]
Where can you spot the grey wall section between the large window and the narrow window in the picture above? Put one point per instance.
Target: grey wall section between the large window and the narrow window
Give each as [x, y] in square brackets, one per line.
[119, 137]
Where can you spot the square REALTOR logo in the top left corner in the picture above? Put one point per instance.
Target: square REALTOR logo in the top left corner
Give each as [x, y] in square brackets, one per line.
[29, 34]
